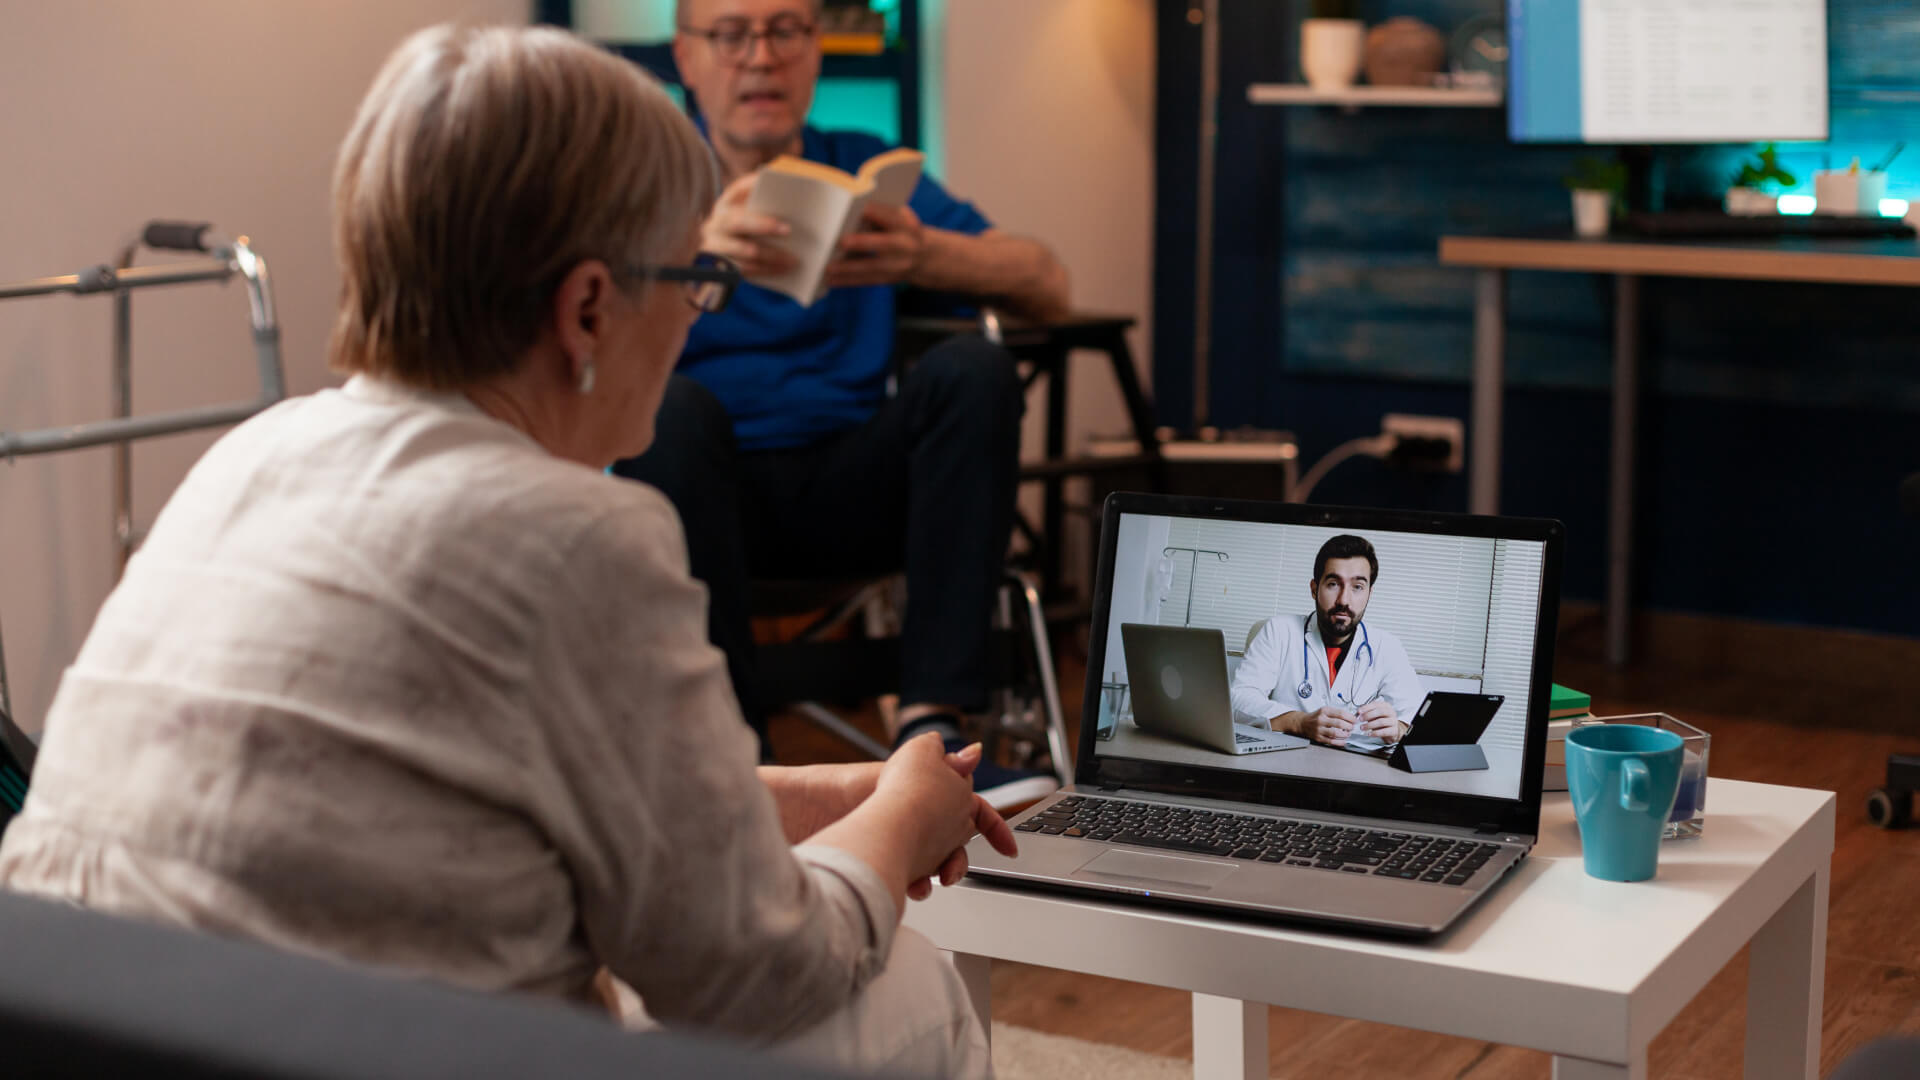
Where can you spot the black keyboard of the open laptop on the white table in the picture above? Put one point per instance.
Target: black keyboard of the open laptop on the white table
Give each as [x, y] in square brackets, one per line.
[1264, 839]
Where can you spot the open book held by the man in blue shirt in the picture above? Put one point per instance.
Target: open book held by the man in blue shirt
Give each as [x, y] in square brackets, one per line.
[823, 205]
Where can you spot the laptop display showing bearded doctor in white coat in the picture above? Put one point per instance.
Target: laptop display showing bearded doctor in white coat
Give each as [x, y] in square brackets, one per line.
[1332, 631]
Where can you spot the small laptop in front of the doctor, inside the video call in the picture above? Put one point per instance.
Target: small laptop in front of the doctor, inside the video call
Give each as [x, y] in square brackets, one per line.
[1184, 689]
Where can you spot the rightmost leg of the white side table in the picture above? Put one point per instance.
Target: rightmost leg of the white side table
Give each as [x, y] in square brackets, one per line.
[1787, 983]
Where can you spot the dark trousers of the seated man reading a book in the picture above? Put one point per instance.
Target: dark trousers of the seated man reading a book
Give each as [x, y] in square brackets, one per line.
[926, 485]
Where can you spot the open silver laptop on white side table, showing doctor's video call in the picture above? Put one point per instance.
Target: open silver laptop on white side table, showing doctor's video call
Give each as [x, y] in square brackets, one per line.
[1355, 608]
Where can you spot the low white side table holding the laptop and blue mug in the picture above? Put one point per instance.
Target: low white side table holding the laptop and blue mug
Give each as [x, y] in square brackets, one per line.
[1552, 960]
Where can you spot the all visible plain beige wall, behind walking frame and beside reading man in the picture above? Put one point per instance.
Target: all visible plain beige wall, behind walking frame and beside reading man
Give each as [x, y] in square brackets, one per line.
[231, 110]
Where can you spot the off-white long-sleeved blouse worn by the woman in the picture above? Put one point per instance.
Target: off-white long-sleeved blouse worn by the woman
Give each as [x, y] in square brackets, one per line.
[391, 683]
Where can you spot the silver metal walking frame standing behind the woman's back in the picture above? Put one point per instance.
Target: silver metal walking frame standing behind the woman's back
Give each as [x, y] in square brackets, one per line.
[228, 258]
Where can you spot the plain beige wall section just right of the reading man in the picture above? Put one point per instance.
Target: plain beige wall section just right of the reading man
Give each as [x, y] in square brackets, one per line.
[1049, 126]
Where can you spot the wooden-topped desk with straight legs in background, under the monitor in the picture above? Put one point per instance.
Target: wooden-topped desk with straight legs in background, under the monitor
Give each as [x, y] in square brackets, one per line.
[1788, 258]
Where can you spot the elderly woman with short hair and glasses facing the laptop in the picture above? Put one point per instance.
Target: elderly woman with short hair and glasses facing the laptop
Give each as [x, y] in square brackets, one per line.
[402, 677]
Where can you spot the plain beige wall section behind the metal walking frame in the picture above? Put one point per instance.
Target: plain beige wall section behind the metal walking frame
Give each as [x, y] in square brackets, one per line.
[118, 112]
